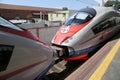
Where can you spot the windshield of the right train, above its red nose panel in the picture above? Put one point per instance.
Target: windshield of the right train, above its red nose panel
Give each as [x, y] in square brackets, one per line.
[78, 18]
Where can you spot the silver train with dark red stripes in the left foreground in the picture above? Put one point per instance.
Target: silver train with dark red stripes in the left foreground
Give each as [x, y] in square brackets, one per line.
[22, 55]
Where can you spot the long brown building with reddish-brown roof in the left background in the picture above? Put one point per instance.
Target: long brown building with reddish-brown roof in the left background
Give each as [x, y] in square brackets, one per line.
[24, 12]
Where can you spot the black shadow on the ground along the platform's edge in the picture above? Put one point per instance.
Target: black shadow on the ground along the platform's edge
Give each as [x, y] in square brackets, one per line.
[70, 67]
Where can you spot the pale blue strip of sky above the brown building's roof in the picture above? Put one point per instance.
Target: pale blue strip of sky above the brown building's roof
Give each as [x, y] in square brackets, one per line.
[70, 4]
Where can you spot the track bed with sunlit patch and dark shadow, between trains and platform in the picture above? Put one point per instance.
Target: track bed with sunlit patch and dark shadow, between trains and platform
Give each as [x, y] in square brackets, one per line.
[62, 69]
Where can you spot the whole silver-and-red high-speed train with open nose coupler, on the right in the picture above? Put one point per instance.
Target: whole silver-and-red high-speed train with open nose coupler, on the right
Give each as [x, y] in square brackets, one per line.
[84, 31]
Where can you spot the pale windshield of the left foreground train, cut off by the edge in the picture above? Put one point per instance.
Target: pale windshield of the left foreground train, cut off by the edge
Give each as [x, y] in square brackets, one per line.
[7, 24]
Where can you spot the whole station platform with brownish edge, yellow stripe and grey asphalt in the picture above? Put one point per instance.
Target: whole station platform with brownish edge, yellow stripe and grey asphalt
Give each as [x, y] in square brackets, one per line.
[104, 65]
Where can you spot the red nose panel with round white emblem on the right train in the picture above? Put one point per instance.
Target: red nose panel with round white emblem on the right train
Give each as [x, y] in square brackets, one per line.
[66, 32]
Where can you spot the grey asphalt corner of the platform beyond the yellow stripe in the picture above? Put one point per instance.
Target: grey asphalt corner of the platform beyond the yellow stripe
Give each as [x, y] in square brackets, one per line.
[113, 71]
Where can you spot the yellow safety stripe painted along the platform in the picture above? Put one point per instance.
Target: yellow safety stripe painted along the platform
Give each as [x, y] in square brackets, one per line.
[100, 71]
